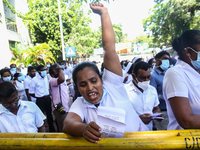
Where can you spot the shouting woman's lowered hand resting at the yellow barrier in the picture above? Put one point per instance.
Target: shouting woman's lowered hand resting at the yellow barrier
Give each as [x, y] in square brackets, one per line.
[91, 132]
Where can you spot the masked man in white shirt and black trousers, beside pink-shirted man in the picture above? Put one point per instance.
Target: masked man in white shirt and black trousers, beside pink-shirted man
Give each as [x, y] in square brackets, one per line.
[39, 88]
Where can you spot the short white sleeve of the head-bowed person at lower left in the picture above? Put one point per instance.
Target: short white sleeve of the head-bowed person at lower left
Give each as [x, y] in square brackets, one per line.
[39, 116]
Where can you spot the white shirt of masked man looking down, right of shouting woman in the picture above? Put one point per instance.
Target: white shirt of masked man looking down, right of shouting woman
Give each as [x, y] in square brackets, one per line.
[143, 102]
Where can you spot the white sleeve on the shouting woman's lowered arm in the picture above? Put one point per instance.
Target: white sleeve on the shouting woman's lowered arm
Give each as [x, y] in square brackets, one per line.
[78, 108]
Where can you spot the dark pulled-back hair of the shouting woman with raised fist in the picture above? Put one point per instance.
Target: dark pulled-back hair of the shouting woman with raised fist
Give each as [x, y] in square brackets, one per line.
[80, 67]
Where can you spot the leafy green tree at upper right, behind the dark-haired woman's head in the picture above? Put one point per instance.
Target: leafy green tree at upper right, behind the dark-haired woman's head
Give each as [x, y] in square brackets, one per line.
[170, 19]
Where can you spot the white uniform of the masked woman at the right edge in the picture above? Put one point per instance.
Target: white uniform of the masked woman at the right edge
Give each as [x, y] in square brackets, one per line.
[181, 81]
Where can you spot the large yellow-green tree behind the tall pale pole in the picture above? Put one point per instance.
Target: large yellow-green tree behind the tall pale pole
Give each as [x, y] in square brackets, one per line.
[43, 23]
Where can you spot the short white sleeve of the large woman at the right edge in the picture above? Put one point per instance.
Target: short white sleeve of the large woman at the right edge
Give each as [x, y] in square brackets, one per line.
[174, 85]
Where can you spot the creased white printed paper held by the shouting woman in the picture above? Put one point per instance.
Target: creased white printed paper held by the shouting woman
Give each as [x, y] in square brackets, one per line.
[112, 121]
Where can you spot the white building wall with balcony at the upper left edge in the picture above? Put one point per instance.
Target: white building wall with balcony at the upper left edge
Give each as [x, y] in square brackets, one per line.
[22, 36]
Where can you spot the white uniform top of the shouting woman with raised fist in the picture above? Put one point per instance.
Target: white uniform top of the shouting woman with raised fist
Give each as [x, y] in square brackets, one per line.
[117, 97]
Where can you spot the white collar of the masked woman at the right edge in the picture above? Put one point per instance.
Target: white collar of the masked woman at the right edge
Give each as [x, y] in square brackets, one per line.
[189, 71]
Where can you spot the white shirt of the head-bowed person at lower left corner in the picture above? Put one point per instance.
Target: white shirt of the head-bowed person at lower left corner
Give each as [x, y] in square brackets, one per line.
[28, 119]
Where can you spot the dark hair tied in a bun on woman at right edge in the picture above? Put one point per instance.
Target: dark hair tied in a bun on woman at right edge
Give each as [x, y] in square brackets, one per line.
[188, 39]
